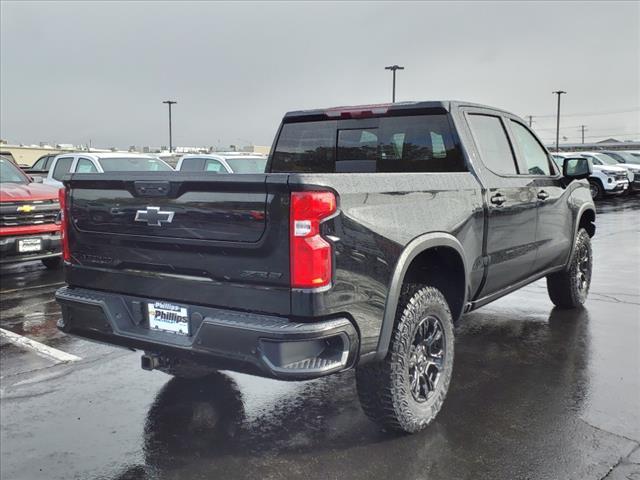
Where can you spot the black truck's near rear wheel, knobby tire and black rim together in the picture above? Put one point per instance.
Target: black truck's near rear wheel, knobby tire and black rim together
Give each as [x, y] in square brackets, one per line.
[406, 390]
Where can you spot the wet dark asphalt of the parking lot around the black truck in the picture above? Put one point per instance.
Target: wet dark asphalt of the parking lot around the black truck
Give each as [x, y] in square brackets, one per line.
[537, 393]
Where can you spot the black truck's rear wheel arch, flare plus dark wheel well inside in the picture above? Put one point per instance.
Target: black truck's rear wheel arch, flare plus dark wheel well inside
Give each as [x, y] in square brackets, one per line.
[445, 250]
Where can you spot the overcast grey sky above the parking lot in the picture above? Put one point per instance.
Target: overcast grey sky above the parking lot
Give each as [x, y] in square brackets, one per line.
[75, 72]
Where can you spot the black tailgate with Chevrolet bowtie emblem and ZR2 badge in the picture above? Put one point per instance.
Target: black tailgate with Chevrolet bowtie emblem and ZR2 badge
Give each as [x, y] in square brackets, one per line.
[209, 239]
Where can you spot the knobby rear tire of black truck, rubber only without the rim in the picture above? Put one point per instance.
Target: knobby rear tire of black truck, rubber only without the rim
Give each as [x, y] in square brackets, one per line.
[384, 388]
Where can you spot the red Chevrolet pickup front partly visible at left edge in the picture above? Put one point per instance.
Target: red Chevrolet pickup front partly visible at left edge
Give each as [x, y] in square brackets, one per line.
[28, 214]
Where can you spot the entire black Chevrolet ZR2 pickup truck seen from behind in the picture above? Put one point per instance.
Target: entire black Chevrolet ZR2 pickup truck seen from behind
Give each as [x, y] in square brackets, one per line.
[374, 229]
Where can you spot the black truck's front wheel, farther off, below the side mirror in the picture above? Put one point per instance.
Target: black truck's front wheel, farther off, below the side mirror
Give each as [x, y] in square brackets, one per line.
[569, 288]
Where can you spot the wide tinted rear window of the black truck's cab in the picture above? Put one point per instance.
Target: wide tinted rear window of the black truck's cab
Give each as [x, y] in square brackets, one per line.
[421, 143]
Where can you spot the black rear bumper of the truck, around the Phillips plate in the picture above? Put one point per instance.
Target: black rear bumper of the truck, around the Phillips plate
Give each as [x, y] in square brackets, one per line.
[261, 345]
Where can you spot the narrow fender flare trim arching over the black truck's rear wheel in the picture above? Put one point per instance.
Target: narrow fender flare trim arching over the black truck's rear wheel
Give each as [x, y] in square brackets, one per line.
[410, 252]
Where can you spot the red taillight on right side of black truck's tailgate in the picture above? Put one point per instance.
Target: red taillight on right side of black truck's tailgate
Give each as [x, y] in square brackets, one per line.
[311, 262]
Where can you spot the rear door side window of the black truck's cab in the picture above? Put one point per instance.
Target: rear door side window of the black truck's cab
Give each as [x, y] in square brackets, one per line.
[493, 144]
